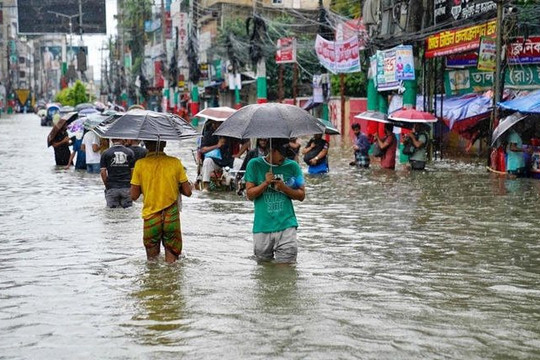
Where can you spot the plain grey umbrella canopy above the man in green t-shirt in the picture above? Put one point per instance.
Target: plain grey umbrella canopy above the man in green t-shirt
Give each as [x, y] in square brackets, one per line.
[270, 120]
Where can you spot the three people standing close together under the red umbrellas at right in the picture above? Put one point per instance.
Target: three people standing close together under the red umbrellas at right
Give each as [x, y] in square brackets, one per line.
[385, 147]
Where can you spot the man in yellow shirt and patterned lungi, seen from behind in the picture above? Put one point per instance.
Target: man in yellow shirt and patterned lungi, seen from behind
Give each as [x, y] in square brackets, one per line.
[161, 179]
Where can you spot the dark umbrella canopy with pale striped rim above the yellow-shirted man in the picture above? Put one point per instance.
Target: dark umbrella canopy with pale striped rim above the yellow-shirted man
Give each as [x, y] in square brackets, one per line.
[145, 125]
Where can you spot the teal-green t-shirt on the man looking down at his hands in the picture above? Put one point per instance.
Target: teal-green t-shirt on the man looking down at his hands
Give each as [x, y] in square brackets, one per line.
[273, 209]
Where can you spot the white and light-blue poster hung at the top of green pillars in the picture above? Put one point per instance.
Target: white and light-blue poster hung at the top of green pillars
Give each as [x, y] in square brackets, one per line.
[393, 66]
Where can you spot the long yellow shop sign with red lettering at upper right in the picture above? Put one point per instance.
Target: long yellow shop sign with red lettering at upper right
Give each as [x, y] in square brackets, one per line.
[459, 40]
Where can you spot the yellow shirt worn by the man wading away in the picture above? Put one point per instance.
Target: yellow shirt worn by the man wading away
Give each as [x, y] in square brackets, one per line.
[159, 176]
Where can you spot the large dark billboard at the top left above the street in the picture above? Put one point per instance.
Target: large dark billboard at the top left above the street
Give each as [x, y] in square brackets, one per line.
[54, 16]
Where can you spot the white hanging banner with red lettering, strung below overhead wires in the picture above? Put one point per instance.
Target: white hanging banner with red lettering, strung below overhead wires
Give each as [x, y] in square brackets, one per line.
[338, 56]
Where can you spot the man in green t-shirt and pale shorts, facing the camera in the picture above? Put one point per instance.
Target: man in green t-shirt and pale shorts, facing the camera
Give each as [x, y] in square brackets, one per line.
[272, 182]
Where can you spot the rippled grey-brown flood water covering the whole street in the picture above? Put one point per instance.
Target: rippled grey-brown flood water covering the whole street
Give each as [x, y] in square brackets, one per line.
[437, 265]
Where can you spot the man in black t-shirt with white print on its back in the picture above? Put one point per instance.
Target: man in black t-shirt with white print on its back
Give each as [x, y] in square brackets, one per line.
[117, 163]
